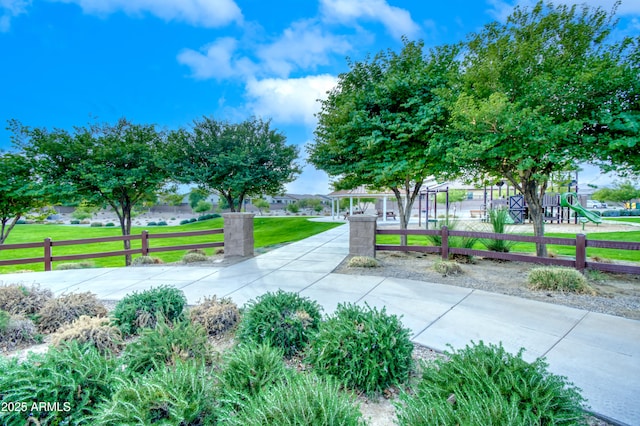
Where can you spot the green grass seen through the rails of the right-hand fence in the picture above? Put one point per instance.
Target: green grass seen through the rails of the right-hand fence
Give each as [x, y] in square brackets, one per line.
[612, 254]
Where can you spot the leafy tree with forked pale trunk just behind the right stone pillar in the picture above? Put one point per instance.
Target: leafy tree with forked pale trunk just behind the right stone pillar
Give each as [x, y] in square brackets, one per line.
[376, 124]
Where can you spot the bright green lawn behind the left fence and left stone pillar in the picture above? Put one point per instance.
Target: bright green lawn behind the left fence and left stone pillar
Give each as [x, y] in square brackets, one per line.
[267, 232]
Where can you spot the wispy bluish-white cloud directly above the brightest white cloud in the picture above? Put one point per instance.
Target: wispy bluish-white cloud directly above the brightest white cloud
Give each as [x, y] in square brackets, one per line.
[304, 45]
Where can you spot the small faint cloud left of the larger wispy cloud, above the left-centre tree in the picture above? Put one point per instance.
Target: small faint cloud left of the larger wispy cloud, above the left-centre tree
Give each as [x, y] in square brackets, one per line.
[217, 60]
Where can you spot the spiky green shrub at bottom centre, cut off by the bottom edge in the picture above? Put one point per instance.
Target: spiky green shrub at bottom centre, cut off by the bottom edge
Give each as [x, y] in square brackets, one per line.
[305, 400]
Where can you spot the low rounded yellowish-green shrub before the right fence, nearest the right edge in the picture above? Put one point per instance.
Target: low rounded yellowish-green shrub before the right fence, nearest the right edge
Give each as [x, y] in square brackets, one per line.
[556, 278]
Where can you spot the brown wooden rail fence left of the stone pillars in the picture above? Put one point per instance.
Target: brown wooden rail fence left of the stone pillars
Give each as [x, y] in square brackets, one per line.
[145, 237]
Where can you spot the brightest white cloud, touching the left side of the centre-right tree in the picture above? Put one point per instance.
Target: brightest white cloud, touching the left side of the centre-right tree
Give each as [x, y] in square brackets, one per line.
[293, 100]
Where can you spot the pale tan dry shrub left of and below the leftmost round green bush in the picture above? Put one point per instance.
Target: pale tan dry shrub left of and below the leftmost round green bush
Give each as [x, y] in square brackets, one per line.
[95, 331]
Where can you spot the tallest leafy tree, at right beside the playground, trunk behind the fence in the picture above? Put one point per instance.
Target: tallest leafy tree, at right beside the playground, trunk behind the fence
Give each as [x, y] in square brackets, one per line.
[531, 89]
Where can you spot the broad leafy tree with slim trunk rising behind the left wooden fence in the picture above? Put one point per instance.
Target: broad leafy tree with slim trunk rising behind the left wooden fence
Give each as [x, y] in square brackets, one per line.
[118, 165]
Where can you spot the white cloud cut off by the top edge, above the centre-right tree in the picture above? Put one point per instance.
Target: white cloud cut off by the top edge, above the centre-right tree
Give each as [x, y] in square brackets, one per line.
[397, 21]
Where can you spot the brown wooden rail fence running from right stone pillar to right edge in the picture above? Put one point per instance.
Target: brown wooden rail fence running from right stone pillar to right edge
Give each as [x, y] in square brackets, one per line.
[580, 243]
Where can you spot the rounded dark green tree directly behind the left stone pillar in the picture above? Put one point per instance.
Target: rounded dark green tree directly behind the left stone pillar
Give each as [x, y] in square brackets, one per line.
[234, 160]
